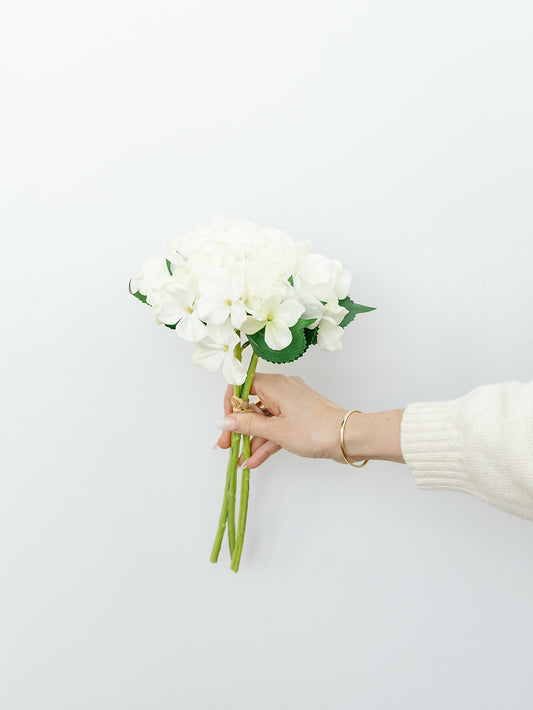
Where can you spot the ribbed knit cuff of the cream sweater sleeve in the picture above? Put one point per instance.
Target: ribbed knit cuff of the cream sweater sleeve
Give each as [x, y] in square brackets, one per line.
[430, 445]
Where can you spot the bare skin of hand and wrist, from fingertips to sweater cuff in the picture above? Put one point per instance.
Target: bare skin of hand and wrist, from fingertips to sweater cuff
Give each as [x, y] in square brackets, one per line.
[307, 424]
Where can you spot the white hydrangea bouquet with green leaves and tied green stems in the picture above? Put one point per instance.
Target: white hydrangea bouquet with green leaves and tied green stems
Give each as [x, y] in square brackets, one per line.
[233, 284]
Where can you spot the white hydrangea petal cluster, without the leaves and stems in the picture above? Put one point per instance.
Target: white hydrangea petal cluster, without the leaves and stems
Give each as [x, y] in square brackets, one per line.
[232, 276]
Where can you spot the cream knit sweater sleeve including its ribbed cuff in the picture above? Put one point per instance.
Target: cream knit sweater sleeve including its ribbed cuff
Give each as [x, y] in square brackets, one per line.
[481, 443]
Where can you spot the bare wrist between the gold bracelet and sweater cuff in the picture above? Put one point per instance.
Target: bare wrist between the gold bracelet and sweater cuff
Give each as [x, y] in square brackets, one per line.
[375, 435]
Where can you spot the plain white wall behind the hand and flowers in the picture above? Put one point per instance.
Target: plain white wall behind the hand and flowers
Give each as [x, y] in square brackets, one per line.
[395, 136]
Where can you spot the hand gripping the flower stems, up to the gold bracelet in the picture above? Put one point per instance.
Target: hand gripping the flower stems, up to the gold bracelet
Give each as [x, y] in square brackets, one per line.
[302, 422]
